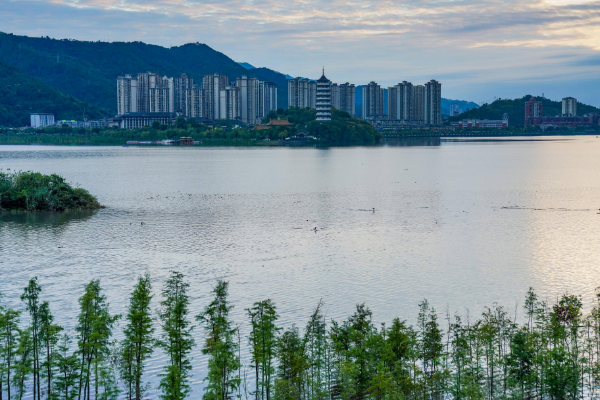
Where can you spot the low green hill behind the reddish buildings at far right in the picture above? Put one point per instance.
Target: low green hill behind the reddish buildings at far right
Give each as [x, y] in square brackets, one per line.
[516, 110]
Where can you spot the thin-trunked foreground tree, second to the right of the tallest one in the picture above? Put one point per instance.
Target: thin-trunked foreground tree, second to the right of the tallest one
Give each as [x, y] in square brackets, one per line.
[262, 342]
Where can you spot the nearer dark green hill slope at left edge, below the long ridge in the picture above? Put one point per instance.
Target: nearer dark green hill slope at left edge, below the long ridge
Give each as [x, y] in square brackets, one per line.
[22, 94]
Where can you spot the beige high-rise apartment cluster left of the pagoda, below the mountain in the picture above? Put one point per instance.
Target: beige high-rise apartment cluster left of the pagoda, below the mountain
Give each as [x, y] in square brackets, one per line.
[246, 99]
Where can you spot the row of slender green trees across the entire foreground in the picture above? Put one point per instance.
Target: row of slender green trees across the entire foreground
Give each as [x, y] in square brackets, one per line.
[553, 353]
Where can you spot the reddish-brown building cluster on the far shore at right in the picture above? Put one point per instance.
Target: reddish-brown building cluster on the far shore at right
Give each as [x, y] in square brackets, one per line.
[534, 115]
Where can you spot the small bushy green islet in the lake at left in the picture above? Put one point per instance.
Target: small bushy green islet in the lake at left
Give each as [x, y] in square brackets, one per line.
[33, 191]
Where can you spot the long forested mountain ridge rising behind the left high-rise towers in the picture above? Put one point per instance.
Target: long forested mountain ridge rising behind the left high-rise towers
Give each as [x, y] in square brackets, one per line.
[88, 70]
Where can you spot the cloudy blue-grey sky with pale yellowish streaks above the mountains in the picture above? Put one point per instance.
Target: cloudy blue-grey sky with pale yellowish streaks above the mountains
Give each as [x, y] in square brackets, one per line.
[478, 50]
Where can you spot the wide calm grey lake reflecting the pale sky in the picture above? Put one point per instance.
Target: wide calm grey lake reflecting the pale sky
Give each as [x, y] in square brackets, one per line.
[463, 223]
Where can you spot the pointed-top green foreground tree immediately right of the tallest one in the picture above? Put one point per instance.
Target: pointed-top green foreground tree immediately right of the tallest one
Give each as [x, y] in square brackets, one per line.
[221, 346]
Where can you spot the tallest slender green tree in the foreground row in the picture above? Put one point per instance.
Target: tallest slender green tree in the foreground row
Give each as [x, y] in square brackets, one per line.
[176, 341]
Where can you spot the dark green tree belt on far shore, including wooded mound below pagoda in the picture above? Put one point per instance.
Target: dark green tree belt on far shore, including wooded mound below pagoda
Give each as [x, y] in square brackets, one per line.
[341, 130]
